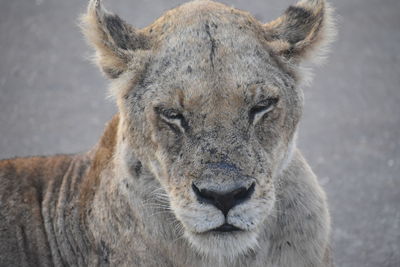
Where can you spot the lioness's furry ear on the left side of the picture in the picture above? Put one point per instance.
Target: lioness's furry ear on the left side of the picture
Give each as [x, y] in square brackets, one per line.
[114, 40]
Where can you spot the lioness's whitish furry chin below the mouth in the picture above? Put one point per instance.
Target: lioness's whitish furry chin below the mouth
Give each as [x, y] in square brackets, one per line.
[223, 246]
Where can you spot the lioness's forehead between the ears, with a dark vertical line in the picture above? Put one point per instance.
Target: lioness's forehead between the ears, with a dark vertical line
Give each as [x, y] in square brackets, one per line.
[207, 49]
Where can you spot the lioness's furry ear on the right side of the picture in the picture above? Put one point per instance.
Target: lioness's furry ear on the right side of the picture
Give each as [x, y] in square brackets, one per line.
[304, 30]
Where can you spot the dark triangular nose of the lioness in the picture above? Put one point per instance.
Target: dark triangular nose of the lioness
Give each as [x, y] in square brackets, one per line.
[224, 201]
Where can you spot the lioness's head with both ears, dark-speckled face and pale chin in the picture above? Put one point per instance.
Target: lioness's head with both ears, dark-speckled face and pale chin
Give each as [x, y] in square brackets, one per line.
[209, 102]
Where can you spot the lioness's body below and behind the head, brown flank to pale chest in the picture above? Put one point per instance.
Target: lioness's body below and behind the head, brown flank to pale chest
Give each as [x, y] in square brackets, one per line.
[44, 222]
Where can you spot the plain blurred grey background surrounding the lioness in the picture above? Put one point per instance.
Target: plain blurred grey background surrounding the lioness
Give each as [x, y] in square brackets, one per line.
[52, 100]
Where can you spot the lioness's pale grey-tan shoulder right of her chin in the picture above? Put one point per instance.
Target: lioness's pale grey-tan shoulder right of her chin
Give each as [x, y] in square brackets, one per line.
[302, 219]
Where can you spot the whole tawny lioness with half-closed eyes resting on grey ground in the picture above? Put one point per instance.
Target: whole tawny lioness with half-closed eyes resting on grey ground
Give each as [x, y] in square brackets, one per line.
[199, 167]
